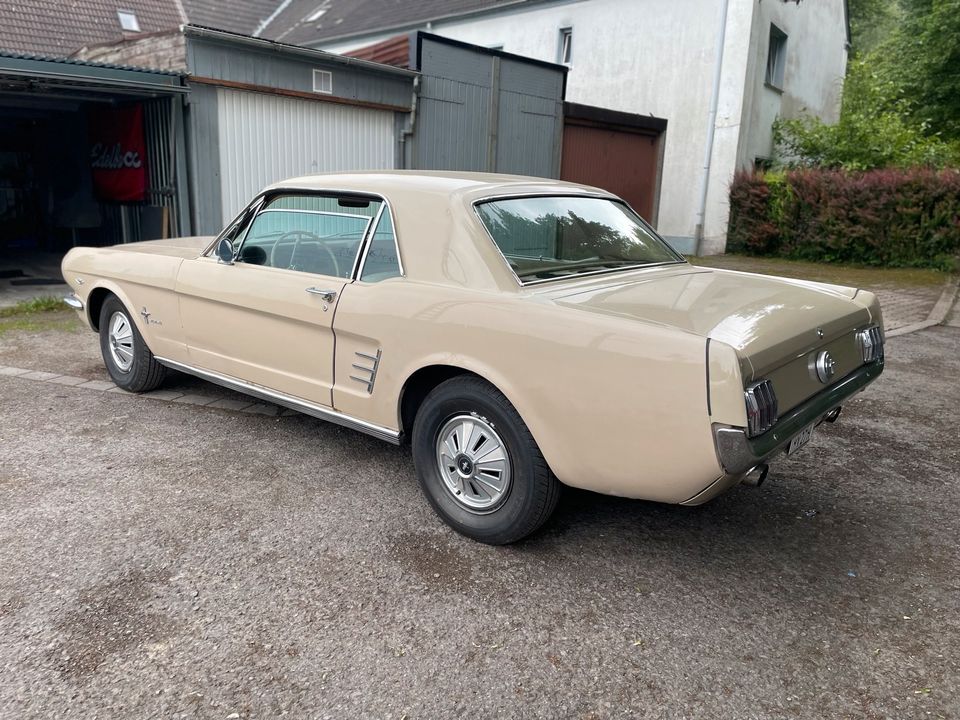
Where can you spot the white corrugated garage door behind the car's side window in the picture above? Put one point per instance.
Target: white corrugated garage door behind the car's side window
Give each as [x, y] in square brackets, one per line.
[266, 138]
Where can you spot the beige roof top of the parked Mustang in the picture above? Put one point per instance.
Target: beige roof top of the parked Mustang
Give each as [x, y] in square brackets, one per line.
[474, 183]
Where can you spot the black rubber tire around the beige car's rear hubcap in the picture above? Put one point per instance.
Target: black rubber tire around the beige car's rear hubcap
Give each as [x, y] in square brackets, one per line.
[532, 492]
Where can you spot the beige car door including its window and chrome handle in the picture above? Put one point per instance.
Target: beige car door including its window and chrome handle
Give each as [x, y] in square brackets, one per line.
[267, 317]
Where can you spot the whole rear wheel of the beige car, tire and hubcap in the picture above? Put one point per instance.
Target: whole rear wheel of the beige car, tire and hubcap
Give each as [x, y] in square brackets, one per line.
[478, 464]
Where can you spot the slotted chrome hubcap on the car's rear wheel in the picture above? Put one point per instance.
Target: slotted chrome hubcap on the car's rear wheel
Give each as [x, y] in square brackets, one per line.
[473, 462]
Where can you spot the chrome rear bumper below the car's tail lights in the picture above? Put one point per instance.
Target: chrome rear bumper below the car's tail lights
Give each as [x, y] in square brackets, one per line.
[739, 454]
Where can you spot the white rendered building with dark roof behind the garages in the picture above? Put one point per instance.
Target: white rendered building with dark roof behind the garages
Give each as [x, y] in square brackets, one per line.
[719, 71]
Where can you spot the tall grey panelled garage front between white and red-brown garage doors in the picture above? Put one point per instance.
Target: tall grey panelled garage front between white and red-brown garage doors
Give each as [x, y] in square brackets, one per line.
[482, 110]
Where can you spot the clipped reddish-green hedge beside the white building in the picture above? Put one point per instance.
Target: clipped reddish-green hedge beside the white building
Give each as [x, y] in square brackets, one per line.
[895, 218]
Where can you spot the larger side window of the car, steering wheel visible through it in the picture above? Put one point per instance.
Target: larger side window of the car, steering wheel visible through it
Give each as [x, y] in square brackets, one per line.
[318, 234]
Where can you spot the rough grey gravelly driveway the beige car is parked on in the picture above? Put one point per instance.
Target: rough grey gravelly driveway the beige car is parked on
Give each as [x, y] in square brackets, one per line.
[165, 560]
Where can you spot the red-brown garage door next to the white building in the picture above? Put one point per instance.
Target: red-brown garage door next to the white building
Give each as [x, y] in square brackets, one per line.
[622, 160]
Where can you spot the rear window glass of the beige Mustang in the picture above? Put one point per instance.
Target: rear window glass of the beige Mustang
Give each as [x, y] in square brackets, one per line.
[552, 237]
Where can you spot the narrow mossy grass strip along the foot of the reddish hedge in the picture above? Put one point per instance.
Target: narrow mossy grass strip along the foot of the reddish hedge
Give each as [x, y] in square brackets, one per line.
[851, 275]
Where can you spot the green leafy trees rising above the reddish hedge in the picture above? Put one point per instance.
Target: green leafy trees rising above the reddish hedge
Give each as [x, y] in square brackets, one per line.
[901, 104]
